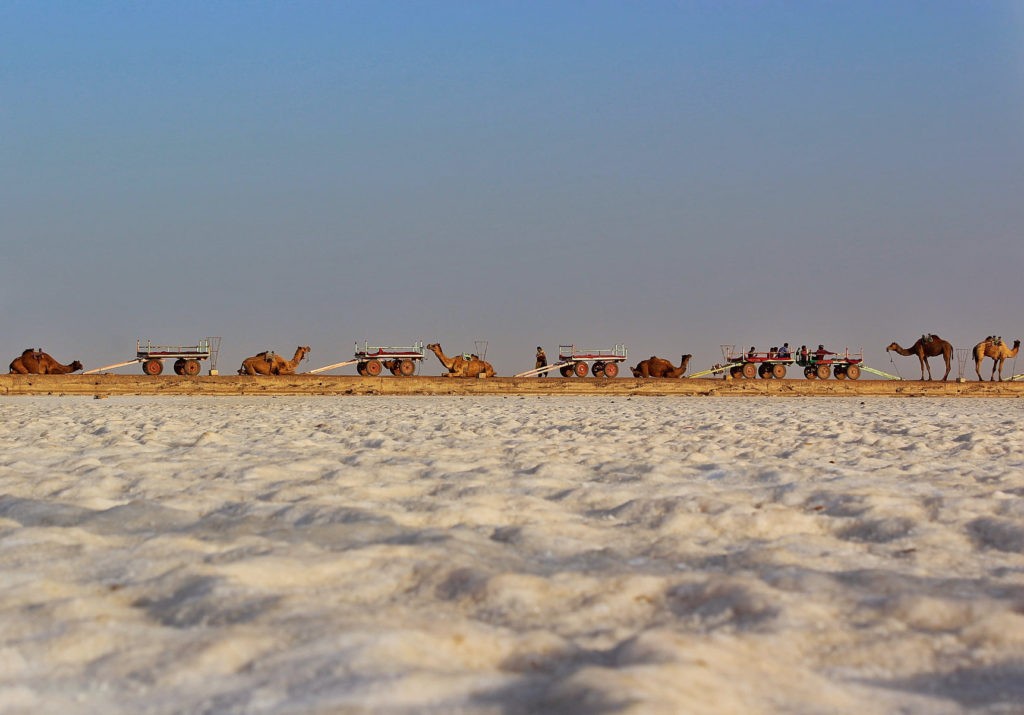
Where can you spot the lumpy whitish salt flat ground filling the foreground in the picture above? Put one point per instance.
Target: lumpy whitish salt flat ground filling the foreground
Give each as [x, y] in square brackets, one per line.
[511, 556]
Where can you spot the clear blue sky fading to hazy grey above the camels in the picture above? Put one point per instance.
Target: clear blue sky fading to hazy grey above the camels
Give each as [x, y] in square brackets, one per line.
[669, 176]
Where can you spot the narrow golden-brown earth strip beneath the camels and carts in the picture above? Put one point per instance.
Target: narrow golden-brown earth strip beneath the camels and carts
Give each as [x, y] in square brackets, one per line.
[105, 386]
